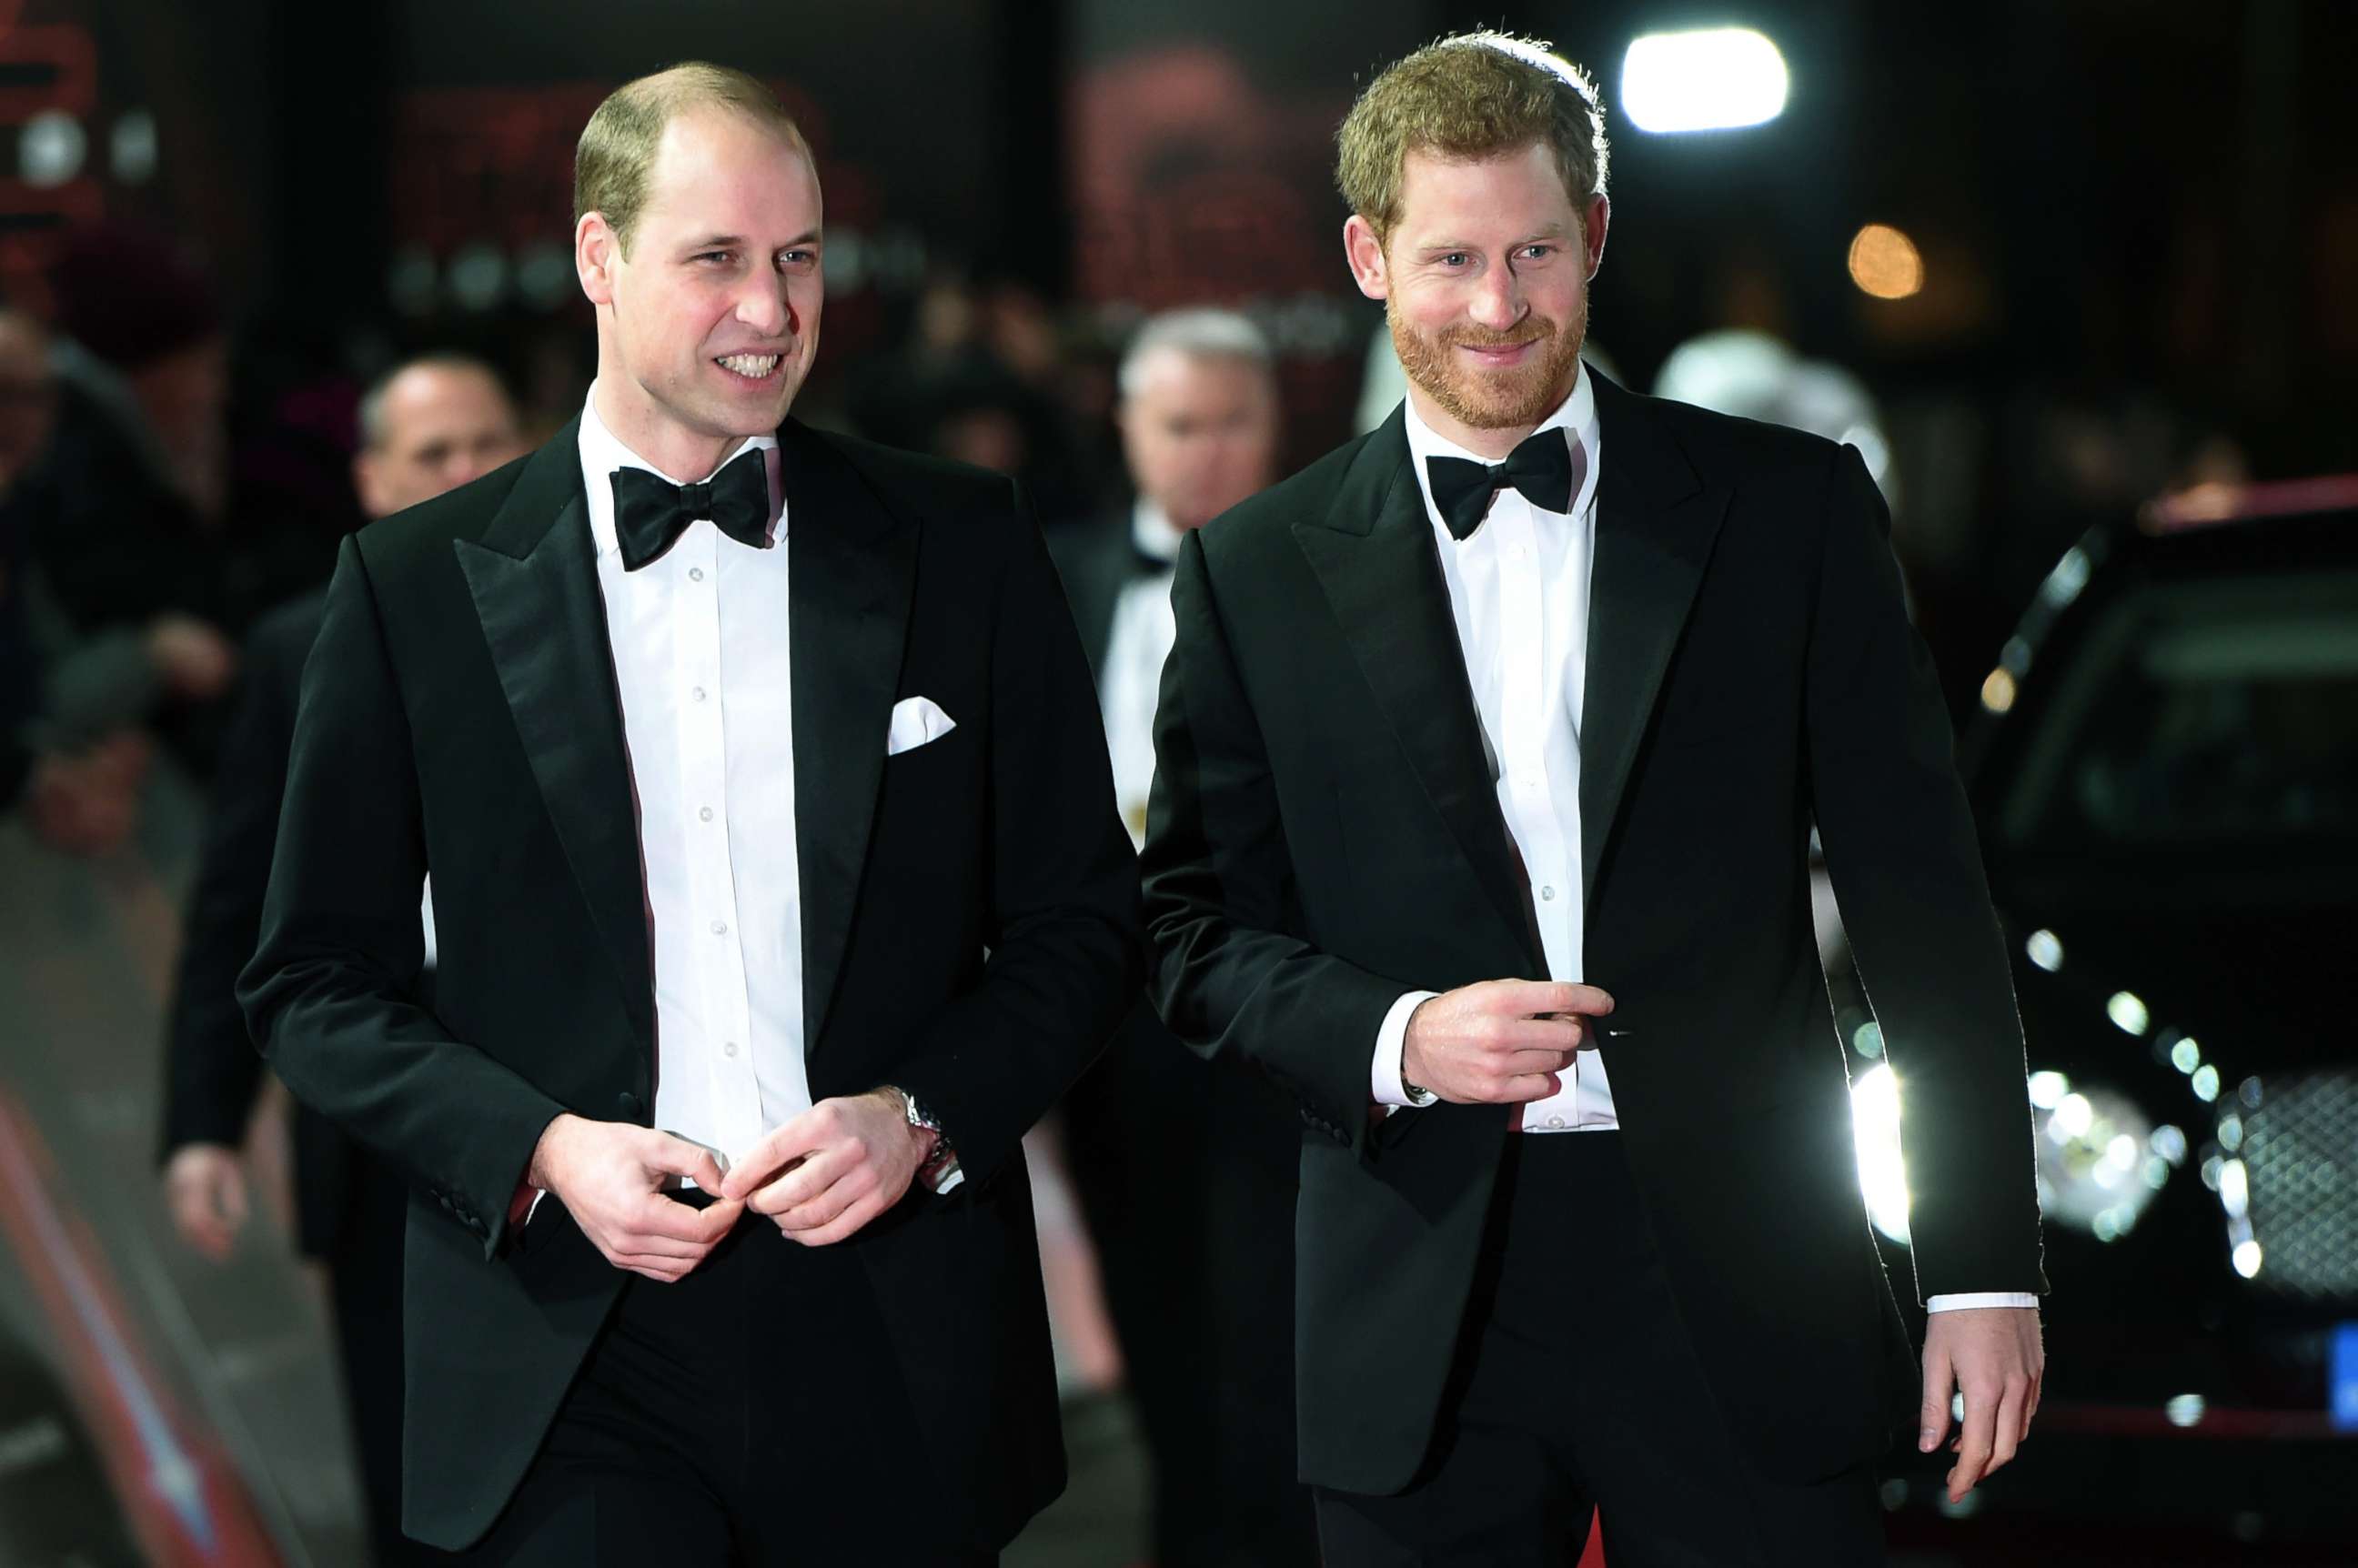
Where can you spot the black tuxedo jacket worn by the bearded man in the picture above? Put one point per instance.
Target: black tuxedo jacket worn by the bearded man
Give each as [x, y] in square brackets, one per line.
[1326, 836]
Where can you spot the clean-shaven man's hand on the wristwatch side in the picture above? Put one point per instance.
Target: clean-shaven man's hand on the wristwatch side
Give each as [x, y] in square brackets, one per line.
[834, 1168]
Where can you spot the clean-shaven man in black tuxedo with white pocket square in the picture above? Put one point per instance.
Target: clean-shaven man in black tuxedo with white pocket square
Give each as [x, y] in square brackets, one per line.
[777, 892]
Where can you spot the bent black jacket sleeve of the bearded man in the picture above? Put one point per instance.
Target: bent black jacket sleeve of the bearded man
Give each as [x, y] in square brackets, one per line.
[1223, 909]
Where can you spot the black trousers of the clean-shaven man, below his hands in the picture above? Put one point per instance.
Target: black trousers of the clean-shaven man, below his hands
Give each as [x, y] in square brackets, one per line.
[751, 1416]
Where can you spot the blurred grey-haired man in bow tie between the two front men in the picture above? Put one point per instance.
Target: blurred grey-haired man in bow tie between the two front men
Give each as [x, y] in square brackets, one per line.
[1185, 1166]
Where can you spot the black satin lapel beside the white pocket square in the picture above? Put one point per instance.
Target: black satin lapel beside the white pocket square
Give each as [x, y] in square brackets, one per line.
[850, 581]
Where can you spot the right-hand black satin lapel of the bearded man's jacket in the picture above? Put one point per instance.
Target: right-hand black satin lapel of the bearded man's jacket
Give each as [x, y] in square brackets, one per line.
[1656, 527]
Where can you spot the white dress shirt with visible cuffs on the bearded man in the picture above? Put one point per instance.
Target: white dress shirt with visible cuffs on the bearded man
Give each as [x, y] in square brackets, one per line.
[1517, 586]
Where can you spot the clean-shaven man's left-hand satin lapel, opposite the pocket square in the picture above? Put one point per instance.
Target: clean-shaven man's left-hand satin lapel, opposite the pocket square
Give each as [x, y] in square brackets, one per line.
[534, 581]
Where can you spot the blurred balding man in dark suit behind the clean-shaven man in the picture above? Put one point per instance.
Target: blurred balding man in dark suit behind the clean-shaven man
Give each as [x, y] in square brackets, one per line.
[428, 428]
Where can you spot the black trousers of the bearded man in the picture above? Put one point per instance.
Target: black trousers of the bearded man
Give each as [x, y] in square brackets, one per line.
[1579, 1388]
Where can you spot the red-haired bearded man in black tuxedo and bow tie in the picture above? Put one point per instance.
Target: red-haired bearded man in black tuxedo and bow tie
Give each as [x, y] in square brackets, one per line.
[1484, 779]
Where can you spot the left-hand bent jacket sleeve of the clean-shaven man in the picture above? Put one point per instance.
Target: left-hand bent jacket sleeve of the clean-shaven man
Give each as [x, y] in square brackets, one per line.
[331, 994]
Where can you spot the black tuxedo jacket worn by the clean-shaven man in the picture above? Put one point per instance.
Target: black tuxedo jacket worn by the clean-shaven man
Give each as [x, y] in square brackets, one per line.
[968, 928]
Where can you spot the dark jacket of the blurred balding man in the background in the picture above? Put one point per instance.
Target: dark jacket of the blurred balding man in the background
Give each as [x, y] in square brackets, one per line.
[211, 1067]
